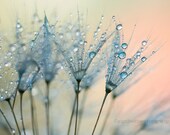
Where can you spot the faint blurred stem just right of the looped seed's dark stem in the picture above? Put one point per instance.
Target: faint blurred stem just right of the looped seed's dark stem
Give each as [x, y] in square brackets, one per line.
[33, 118]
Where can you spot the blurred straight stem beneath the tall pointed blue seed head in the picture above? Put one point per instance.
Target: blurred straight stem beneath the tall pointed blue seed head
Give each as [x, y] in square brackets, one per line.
[47, 108]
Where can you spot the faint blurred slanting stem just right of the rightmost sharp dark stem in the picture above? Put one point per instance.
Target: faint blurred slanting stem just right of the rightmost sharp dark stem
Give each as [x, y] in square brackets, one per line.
[106, 117]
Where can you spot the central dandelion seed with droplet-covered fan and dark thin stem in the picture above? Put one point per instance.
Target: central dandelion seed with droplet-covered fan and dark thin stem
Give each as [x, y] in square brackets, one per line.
[72, 43]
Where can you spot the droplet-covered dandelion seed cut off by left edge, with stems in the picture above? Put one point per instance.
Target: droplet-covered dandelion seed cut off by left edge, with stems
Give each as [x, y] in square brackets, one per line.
[8, 87]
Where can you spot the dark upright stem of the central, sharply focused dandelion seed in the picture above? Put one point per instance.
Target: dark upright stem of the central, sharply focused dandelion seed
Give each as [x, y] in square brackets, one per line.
[77, 107]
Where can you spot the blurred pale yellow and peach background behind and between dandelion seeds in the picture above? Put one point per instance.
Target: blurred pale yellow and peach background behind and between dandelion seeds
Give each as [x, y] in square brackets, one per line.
[151, 17]
